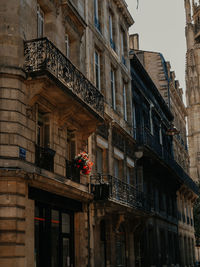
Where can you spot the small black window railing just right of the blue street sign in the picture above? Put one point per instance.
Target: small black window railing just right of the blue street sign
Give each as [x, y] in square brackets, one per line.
[44, 158]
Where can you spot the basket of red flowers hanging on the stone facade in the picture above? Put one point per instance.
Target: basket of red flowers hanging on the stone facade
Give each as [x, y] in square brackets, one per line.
[83, 163]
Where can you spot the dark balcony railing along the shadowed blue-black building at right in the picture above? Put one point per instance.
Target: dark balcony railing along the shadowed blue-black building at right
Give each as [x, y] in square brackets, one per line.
[144, 137]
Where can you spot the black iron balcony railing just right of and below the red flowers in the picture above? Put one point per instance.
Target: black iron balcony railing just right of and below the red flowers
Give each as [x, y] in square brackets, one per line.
[107, 187]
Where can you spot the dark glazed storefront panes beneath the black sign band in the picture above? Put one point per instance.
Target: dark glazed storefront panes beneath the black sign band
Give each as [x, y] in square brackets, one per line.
[53, 237]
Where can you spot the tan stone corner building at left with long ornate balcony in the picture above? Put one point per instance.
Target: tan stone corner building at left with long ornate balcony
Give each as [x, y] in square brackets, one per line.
[48, 109]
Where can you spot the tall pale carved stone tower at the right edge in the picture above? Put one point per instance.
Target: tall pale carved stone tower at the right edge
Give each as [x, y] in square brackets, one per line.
[192, 85]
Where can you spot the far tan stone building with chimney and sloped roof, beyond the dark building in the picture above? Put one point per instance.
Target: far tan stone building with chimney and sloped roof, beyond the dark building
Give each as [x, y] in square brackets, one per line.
[168, 86]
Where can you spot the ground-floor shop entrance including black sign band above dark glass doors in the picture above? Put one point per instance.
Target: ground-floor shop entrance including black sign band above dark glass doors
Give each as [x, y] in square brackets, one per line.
[53, 229]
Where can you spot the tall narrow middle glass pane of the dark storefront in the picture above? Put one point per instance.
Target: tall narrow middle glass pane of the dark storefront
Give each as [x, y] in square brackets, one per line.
[54, 238]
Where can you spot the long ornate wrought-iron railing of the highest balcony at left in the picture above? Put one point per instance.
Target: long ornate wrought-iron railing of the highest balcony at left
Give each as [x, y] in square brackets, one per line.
[42, 56]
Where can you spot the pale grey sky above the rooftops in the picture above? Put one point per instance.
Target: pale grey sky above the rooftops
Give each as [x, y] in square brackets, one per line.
[161, 28]
